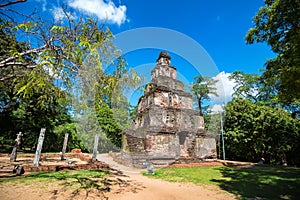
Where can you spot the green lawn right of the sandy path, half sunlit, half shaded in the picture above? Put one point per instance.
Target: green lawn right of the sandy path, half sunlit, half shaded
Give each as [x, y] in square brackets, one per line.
[245, 182]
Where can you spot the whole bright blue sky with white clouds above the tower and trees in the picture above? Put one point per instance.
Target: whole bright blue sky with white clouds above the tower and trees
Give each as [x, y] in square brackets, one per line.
[218, 27]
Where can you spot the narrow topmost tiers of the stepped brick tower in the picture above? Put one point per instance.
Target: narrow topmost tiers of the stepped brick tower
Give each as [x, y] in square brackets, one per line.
[163, 68]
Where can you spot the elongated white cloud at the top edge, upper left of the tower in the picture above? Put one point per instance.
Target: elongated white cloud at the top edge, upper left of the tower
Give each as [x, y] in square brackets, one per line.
[104, 10]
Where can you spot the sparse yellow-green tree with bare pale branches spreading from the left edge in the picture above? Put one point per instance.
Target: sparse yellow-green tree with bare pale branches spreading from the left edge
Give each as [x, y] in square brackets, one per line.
[58, 59]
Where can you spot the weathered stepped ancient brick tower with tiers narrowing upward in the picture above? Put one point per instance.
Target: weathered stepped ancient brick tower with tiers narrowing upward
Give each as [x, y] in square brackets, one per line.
[166, 127]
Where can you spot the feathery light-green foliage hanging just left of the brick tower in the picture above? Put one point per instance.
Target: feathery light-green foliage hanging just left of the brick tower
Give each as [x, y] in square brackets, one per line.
[101, 104]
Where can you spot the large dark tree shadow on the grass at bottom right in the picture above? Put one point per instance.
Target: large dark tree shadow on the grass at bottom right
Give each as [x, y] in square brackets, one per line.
[261, 182]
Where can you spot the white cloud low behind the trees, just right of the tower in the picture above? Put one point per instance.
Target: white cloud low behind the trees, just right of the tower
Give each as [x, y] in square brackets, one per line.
[224, 88]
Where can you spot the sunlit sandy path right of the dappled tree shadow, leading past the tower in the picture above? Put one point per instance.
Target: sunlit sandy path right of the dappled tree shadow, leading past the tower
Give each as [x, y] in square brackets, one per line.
[153, 189]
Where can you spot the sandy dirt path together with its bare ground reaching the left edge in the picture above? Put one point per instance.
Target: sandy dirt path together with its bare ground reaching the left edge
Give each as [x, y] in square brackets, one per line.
[131, 186]
